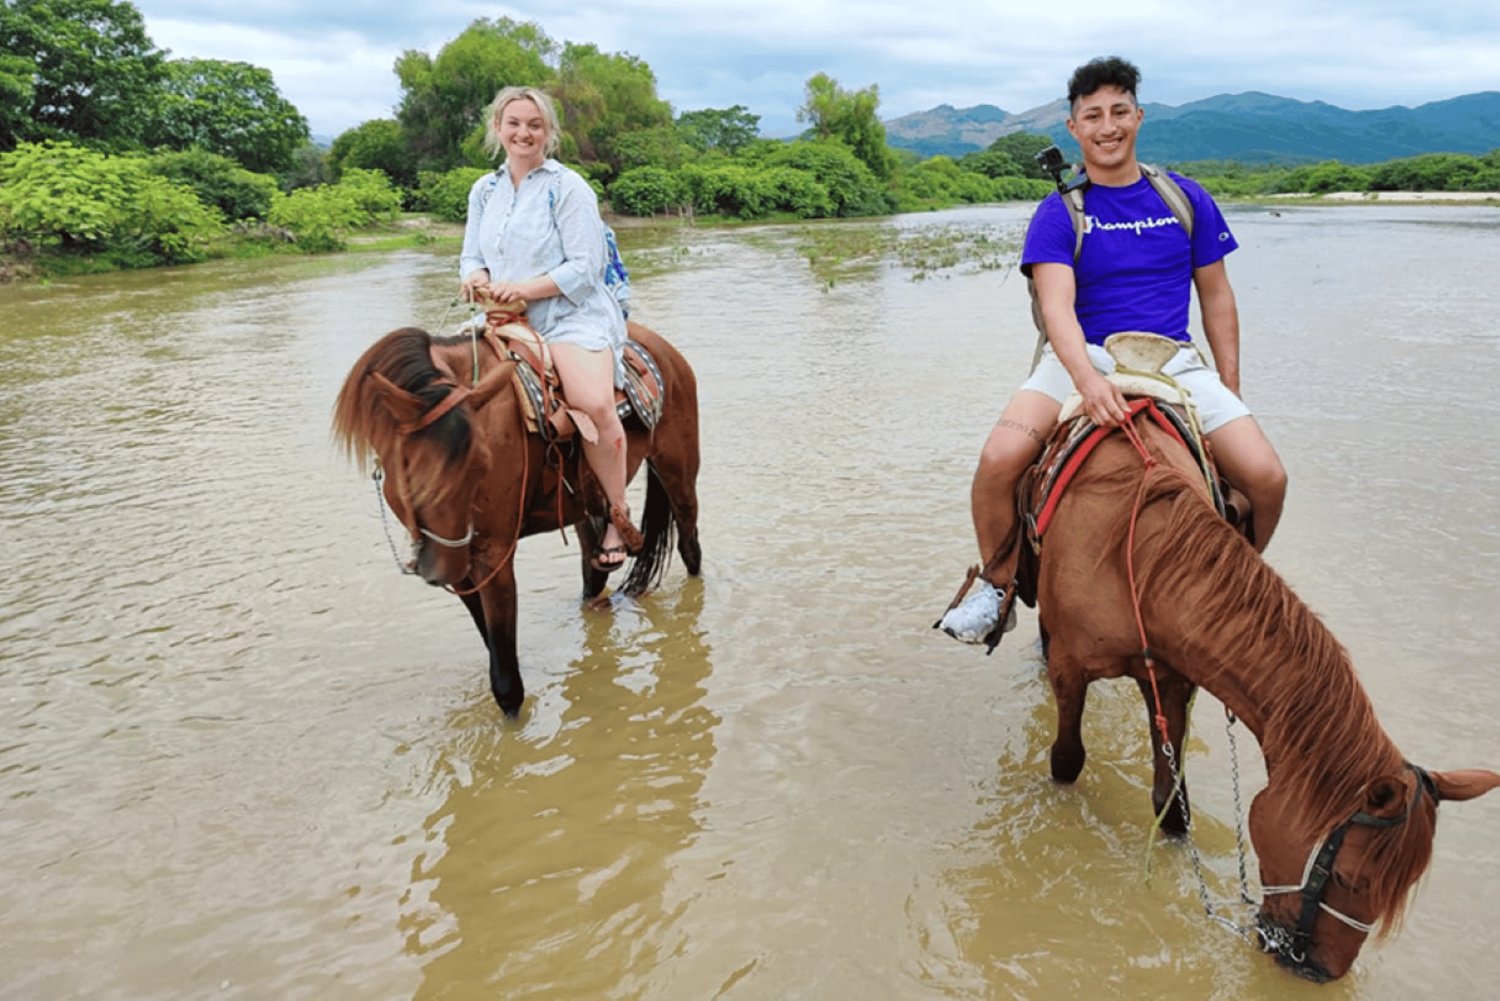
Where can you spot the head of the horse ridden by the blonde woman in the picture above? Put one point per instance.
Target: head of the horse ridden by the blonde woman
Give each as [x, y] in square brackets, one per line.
[404, 409]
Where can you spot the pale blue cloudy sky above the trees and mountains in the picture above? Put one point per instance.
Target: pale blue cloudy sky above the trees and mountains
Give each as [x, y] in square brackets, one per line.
[334, 59]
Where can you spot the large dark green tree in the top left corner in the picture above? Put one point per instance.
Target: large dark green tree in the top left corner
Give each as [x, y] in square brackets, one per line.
[94, 71]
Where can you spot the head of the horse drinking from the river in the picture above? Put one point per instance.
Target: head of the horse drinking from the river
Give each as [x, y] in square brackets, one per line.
[1327, 891]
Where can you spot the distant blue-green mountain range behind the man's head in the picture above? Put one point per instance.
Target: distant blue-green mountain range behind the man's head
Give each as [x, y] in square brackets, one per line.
[1253, 128]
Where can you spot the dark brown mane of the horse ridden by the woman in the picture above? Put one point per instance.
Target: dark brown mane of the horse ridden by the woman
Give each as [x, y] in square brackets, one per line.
[365, 427]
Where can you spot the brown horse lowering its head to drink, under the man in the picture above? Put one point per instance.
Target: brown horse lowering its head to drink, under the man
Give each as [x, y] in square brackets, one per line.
[1345, 826]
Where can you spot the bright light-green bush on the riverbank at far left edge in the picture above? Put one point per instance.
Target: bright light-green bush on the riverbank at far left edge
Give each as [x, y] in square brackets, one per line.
[62, 196]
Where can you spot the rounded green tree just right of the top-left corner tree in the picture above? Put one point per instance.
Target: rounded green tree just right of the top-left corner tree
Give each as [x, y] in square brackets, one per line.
[230, 109]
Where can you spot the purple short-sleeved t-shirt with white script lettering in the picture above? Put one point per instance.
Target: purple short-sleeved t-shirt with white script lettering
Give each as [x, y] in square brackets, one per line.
[1136, 268]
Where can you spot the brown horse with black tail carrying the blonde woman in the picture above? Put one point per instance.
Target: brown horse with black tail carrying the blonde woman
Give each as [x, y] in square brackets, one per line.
[469, 481]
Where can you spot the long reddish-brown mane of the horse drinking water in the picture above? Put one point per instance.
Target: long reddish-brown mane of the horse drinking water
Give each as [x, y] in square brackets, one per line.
[1321, 729]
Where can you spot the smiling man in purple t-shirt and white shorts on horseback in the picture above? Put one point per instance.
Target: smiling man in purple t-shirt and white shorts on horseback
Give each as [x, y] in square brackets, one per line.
[1135, 269]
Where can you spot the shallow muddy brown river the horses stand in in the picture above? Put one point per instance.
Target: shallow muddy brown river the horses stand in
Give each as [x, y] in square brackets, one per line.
[242, 757]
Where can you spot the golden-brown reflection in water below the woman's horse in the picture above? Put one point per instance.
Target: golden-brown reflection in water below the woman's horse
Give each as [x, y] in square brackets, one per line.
[556, 840]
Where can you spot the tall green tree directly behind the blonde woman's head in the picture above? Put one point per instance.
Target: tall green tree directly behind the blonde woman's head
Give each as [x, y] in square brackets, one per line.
[445, 98]
